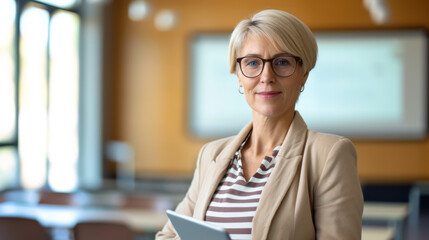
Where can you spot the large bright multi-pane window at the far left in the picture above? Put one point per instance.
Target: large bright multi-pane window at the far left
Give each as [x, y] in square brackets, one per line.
[39, 94]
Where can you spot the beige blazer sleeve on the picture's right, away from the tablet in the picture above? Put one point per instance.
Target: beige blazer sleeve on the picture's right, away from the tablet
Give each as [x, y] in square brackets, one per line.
[338, 201]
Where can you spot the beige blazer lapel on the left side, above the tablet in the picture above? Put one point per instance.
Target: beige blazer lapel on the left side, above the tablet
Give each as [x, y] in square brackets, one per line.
[217, 169]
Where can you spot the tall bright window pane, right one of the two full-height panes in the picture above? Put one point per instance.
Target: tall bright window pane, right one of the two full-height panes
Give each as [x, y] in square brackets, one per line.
[63, 101]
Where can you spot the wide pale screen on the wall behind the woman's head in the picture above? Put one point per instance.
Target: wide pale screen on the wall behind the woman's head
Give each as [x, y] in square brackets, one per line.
[366, 85]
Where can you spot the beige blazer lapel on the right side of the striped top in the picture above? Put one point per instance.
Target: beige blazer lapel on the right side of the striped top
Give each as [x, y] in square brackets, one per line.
[288, 161]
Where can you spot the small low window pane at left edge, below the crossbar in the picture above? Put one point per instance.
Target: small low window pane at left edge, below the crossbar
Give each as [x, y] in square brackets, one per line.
[8, 167]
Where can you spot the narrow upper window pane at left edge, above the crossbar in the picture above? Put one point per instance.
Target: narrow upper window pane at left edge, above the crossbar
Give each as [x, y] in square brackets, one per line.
[7, 68]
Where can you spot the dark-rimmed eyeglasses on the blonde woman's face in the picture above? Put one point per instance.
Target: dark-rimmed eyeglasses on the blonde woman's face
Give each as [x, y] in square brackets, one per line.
[282, 66]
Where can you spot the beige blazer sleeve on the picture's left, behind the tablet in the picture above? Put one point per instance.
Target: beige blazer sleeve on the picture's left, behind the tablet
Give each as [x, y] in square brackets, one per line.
[186, 206]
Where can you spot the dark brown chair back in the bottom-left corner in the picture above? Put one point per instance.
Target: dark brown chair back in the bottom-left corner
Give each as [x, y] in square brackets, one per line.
[17, 228]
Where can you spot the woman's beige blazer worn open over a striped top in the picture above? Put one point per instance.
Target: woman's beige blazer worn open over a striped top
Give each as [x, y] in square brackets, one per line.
[312, 193]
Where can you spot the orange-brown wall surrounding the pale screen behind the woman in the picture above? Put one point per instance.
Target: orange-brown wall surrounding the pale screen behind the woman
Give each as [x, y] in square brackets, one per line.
[148, 102]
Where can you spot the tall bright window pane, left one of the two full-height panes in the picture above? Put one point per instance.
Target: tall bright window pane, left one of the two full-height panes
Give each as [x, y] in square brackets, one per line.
[33, 97]
